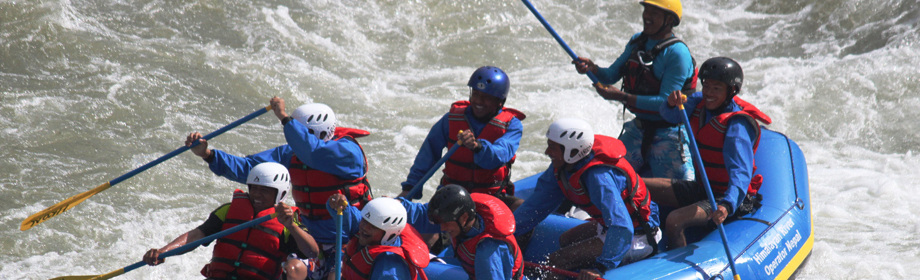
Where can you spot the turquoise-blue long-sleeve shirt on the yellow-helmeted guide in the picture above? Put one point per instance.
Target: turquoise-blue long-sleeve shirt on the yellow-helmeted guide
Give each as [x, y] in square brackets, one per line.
[673, 66]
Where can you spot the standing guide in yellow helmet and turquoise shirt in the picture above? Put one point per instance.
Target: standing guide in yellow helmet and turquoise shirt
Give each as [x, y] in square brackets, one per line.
[654, 64]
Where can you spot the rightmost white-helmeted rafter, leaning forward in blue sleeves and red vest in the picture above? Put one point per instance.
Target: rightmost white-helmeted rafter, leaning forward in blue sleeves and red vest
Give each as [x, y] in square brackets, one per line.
[589, 170]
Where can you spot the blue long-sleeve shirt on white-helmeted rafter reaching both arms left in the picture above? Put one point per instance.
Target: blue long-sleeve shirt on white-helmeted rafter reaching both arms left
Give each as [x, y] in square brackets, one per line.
[341, 157]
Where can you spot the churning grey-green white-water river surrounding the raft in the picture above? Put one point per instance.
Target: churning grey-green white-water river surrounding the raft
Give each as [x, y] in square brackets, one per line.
[93, 89]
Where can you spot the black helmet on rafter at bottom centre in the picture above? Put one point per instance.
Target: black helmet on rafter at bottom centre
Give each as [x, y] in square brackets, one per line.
[449, 203]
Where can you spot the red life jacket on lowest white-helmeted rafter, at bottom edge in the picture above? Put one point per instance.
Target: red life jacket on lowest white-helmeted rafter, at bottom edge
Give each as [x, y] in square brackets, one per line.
[359, 262]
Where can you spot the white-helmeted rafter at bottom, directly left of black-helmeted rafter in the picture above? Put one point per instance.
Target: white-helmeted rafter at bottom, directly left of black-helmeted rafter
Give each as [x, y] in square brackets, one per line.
[384, 246]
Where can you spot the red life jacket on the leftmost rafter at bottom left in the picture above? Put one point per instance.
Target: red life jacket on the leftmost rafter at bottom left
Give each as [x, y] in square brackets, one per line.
[253, 253]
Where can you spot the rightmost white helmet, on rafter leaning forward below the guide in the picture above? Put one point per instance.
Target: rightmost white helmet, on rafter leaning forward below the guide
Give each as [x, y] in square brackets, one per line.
[573, 135]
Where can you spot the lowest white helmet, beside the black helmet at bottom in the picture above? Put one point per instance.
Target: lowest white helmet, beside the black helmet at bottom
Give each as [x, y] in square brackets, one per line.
[387, 214]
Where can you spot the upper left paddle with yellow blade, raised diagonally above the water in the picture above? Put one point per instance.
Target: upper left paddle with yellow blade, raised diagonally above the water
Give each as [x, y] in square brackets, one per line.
[69, 203]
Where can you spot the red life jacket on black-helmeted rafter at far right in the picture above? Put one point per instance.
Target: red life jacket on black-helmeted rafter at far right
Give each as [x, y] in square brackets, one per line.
[710, 138]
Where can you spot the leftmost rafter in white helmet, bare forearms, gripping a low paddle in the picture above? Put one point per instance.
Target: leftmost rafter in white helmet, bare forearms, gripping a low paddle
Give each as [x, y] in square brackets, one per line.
[260, 251]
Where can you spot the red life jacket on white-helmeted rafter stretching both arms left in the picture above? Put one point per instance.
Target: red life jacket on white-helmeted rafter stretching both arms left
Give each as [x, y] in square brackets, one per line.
[311, 187]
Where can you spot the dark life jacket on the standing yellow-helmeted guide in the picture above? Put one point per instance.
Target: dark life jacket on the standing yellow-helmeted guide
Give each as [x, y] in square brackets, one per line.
[639, 75]
